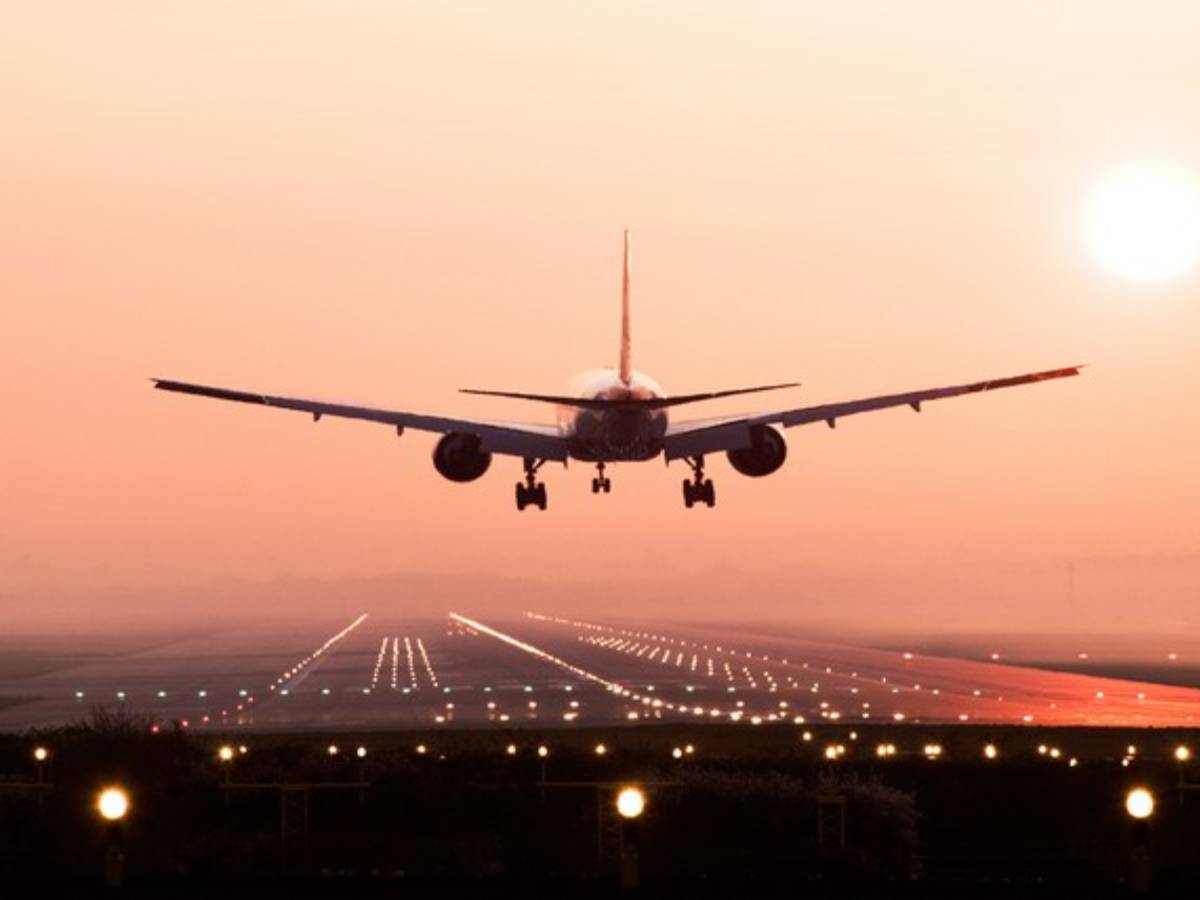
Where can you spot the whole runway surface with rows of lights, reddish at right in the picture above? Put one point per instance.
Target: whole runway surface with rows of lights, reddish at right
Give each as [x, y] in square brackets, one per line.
[373, 673]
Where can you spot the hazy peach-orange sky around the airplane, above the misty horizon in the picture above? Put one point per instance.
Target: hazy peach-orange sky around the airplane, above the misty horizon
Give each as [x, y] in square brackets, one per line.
[383, 202]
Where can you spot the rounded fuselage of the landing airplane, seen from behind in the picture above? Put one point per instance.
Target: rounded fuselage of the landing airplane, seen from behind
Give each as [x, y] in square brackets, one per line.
[619, 434]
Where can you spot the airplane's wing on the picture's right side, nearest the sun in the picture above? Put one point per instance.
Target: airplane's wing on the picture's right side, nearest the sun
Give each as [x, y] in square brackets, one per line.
[694, 439]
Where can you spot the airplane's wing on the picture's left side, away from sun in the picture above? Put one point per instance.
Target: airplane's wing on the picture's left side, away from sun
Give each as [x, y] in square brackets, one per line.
[541, 442]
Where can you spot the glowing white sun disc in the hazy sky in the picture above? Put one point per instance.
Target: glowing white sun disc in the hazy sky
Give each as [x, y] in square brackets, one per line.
[1143, 221]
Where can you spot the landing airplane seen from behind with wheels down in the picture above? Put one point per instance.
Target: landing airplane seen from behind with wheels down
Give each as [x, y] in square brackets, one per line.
[616, 416]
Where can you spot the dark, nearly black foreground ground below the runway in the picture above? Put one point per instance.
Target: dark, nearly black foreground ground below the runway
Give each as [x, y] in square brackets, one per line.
[748, 813]
